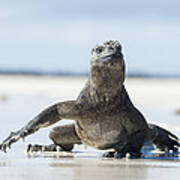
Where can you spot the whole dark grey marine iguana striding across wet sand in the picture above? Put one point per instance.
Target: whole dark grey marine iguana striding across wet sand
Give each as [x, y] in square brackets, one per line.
[105, 117]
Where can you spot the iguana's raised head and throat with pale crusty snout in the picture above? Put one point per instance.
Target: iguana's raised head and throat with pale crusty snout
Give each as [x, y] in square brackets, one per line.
[107, 64]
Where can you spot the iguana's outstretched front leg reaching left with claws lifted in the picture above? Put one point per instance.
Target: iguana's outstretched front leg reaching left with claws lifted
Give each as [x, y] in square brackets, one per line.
[63, 110]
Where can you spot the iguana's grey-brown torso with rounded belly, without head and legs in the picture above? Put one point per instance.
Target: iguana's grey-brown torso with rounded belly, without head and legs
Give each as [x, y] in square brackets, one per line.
[104, 123]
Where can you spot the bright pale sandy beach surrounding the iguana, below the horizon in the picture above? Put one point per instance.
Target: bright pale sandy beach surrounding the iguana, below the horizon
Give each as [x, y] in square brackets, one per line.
[22, 97]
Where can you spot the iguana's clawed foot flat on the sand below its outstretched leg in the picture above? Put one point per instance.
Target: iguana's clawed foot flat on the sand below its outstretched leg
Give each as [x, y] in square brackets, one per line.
[44, 148]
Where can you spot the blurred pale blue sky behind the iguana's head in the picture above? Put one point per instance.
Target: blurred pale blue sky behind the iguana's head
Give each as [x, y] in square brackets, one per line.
[42, 36]
